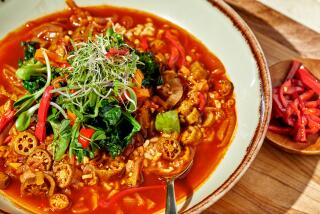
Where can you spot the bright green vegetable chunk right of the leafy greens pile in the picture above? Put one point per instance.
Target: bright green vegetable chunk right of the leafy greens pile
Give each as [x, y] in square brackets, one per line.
[168, 122]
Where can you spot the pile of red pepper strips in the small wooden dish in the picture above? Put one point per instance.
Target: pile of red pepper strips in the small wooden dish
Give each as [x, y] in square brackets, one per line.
[296, 104]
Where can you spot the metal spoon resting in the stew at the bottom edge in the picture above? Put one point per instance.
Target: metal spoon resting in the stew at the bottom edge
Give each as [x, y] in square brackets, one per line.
[171, 207]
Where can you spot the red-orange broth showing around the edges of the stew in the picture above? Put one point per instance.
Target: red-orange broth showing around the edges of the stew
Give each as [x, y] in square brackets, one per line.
[207, 155]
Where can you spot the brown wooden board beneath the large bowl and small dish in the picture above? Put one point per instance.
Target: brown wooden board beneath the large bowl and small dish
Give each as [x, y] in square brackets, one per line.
[276, 182]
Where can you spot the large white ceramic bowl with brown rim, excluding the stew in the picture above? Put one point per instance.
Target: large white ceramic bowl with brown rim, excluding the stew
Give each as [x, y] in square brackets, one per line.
[229, 38]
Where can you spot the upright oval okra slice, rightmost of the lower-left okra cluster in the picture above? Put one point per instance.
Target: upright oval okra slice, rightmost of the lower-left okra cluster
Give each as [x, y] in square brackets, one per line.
[63, 174]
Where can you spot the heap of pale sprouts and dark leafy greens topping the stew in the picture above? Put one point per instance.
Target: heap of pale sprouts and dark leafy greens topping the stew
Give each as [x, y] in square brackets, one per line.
[99, 93]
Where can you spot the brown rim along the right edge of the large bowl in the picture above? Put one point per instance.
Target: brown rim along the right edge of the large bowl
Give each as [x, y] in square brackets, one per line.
[265, 107]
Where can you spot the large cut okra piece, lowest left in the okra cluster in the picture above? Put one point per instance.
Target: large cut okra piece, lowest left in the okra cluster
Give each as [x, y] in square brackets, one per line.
[38, 184]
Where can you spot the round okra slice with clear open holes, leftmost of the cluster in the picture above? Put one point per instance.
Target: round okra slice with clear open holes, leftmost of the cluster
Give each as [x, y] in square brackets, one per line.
[25, 143]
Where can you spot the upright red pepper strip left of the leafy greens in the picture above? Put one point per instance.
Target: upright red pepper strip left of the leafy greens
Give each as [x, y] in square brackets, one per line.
[40, 132]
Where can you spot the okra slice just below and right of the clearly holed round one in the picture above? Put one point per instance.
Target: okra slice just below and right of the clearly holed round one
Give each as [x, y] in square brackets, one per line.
[40, 160]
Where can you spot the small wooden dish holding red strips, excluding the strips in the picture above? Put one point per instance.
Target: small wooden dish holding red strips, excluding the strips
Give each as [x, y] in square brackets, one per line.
[278, 73]
